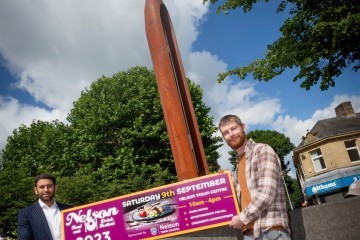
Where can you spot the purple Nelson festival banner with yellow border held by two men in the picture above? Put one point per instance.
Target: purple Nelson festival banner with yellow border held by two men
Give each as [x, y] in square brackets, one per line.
[187, 206]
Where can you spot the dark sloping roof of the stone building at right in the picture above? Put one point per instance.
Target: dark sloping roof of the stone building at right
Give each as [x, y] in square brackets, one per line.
[332, 127]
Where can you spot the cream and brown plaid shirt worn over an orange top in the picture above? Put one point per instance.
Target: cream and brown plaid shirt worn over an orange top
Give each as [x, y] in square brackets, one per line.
[265, 183]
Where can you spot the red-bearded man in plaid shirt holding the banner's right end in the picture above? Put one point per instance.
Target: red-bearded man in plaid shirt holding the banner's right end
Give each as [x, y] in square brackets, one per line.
[259, 185]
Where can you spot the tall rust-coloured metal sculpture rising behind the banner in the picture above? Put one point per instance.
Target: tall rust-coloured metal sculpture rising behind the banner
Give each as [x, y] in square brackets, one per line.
[184, 134]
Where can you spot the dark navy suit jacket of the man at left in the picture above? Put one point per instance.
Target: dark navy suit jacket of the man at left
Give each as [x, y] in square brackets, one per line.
[32, 224]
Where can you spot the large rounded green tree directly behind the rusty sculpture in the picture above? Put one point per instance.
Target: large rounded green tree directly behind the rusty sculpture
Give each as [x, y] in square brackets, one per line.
[120, 132]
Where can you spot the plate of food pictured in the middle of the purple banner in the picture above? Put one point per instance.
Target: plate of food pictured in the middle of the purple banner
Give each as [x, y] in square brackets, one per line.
[152, 211]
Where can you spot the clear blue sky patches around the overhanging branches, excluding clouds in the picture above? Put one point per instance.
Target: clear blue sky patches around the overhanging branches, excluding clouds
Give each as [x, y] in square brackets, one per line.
[238, 38]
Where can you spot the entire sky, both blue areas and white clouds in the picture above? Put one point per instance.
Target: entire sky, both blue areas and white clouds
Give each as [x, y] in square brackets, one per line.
[51, 51]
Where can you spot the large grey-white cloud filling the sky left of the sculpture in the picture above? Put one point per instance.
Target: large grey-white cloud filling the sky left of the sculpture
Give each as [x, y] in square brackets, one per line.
[61, 47]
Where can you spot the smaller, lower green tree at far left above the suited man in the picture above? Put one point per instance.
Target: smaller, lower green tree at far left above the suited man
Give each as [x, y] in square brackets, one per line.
[41, 147]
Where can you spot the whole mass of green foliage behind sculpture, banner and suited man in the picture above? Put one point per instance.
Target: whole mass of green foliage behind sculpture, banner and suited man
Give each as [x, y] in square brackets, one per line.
[115, 143]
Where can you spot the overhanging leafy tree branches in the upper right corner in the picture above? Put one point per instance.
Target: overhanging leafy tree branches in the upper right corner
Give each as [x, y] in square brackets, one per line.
[318, 39]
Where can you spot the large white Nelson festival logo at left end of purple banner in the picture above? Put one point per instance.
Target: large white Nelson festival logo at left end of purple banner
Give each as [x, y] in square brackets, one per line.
[90, 218]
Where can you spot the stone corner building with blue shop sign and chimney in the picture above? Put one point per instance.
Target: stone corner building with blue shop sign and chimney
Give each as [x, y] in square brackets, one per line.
[327, 160]
